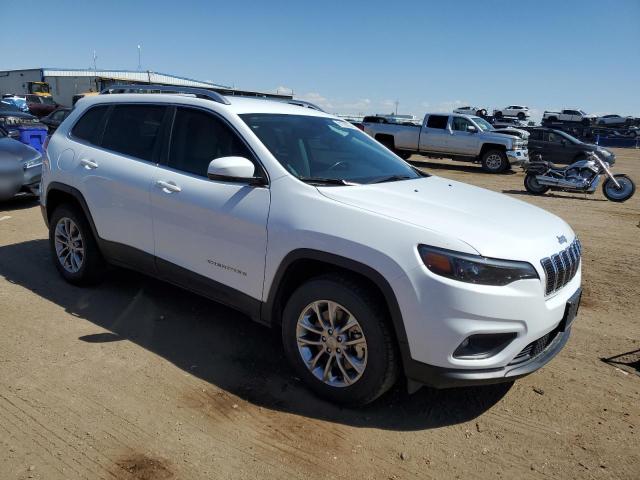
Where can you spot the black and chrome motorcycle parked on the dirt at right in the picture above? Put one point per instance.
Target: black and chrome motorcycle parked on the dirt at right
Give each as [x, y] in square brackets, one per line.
[582, 176]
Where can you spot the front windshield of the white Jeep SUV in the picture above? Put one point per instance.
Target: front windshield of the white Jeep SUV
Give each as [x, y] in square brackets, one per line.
[326, 149]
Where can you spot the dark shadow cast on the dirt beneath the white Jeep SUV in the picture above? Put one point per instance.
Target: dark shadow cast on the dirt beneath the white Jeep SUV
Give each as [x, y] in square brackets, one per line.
[223, 347]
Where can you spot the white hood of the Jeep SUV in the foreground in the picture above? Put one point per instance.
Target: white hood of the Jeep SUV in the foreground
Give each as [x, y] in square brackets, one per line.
[493, 224]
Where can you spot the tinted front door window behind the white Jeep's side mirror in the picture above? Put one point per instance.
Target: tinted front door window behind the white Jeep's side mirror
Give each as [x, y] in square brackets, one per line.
[198, 137]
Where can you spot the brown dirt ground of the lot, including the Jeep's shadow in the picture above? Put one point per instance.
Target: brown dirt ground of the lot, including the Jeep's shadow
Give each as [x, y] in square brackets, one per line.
[135, 379]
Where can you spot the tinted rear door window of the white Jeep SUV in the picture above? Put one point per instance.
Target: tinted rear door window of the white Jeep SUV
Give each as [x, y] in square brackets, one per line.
[133, 130]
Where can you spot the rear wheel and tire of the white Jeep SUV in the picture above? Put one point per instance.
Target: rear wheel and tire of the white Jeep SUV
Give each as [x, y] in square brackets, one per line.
[75, 251]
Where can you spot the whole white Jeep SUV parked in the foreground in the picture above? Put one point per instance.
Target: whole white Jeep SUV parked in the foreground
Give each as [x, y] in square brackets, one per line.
[372, 269]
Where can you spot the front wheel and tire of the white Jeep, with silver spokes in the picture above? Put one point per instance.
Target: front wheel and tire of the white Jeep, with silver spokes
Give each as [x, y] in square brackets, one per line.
[336, 336]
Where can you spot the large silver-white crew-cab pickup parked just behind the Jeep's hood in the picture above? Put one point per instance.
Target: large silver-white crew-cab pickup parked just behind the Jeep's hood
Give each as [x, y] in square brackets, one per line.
[455, 136]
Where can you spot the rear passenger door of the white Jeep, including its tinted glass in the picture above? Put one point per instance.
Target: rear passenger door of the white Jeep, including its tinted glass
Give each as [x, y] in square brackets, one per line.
[115, 169]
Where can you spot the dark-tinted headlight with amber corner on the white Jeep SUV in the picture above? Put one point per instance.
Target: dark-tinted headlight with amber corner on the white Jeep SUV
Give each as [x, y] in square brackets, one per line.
[474, 268]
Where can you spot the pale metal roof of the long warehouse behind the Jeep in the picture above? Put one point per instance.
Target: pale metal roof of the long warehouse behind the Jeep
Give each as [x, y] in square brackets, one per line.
[132, 76]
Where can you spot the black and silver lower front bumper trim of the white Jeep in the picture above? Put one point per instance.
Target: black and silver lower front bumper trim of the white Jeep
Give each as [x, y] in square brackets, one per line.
[440, 377]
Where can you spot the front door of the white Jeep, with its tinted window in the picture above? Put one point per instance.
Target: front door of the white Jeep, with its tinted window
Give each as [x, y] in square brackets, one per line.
[214, 229]
